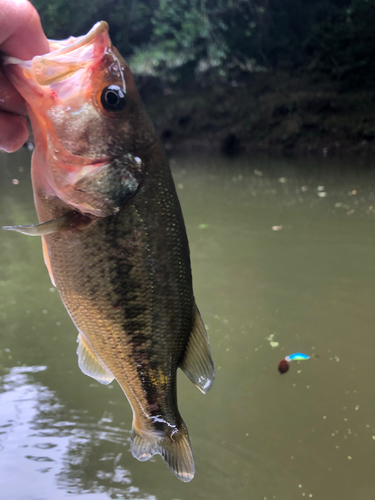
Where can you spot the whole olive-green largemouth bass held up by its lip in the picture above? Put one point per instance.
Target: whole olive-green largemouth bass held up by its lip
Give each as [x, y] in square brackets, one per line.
[113, 235]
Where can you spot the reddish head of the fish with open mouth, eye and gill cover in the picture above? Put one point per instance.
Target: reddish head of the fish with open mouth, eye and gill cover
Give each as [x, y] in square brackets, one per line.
[75, 125]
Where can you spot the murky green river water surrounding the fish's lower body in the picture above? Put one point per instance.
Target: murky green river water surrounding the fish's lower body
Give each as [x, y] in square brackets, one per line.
[283, 261]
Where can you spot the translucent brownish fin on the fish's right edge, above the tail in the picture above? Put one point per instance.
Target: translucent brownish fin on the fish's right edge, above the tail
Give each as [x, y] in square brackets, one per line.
[197, 362]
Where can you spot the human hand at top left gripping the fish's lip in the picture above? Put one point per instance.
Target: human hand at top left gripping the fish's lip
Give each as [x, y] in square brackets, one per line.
[22, 36]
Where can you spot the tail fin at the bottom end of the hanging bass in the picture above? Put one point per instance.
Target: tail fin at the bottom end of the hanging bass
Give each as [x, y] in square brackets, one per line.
[175, 450]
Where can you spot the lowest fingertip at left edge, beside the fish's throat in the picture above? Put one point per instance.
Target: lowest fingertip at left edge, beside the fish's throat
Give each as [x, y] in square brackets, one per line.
[14, 131]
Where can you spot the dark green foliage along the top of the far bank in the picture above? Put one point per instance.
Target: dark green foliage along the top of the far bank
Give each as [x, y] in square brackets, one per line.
[185, 41]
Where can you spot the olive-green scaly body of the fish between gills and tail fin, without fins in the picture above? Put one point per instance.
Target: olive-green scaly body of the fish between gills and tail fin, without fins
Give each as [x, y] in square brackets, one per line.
[126, 282]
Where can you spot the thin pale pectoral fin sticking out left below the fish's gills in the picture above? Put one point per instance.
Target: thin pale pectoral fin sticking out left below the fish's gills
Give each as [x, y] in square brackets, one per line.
[70, 220]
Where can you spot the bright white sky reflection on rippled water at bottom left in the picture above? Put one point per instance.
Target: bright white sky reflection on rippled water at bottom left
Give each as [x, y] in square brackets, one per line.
[38, 435]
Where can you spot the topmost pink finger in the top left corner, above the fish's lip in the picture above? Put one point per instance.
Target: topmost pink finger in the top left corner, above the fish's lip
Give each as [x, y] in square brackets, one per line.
[21, 33]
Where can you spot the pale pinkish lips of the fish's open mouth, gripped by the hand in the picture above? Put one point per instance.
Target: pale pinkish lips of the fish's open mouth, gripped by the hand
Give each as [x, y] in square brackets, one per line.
[66, 57]
